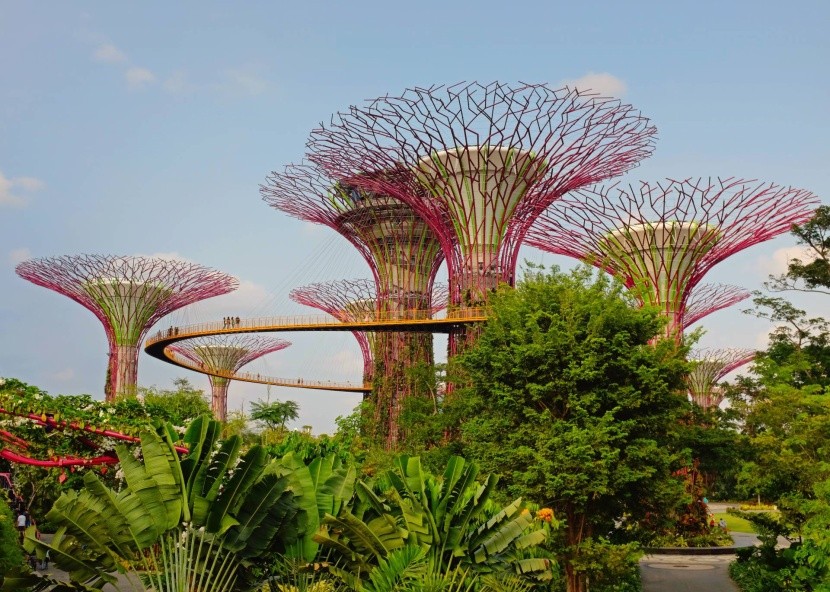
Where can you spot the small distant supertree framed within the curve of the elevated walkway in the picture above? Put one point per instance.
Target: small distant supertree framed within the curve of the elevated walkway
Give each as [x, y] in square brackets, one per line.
[226, 354]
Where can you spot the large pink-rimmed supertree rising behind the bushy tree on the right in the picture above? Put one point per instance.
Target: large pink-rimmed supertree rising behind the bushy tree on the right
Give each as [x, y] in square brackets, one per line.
[662, 238]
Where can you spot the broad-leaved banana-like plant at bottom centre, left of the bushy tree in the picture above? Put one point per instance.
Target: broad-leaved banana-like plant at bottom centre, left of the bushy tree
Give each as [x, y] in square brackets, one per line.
[451, 517]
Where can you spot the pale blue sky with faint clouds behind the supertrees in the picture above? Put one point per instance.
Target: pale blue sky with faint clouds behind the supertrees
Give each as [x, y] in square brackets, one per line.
[146, 129]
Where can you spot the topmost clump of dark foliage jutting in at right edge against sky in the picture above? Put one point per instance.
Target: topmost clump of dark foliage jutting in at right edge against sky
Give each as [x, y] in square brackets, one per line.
[812, 275]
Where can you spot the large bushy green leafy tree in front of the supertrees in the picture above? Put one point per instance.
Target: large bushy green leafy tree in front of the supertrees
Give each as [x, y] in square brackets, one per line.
[571, 405]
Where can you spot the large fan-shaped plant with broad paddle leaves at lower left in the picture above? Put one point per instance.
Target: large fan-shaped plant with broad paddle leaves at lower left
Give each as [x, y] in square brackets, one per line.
[182, 525]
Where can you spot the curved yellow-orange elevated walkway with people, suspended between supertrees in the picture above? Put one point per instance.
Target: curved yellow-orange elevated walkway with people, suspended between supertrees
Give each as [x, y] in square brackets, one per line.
[420, 321]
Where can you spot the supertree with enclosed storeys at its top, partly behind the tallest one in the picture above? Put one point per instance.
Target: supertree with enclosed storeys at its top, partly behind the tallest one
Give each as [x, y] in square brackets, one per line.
[400, 249]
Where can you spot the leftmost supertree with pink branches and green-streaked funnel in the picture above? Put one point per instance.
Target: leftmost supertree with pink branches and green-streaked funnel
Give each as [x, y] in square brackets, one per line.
[127, 294]
